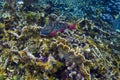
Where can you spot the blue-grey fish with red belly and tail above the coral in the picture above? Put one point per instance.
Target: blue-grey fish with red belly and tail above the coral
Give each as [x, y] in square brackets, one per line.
[52, 28]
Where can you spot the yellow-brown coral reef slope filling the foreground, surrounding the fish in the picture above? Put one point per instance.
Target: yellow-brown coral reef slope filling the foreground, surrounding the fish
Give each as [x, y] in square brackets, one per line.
[87, 52]
